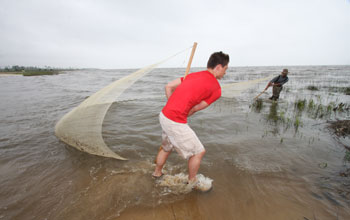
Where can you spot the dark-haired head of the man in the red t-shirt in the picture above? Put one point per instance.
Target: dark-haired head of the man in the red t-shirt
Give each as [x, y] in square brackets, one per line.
[218, 64]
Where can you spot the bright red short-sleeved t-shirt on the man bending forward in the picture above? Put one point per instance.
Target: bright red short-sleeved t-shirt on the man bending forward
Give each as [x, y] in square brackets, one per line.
[192, 90]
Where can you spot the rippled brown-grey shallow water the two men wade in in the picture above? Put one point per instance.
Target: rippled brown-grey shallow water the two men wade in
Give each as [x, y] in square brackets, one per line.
[262, 165]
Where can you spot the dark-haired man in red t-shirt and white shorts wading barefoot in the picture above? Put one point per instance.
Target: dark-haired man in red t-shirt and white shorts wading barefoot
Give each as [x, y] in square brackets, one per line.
[187, 95]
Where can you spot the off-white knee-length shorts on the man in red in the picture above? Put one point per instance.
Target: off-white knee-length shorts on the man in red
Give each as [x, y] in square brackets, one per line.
[179, 136]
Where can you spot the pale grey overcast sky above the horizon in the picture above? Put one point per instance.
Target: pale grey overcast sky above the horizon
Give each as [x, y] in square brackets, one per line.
[136, 33]
